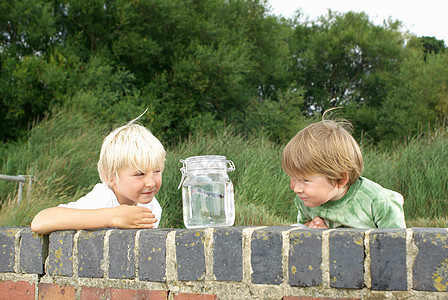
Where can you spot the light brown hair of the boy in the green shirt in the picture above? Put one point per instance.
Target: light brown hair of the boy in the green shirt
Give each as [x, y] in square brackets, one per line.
[324, 148]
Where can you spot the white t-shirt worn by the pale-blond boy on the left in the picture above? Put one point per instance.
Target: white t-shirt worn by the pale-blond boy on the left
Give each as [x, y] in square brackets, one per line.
[101, 196]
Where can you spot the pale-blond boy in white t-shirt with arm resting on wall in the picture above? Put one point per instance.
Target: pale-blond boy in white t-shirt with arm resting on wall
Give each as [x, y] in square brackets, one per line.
[130, 168]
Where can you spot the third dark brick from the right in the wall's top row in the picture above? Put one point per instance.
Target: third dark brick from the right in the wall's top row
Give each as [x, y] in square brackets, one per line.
[347, 258]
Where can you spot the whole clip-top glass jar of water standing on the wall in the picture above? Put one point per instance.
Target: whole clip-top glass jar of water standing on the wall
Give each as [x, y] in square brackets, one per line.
[207, 191]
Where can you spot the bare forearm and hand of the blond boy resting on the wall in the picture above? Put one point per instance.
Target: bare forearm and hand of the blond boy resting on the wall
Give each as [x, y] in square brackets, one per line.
[62, 218]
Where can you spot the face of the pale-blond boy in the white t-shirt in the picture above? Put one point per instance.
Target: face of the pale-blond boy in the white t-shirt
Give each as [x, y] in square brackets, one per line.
[136, 187]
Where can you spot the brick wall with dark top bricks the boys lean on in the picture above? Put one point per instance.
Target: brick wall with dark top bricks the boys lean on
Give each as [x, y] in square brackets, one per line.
[225, 263]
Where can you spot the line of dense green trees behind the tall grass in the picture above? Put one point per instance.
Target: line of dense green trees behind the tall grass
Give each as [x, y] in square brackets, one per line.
[200, 65]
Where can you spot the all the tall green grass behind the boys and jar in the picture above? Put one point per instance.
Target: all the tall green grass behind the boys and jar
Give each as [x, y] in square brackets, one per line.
[62, 153]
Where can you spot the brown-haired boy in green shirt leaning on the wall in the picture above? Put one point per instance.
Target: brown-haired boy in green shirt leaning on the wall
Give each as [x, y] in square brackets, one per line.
[325, 163]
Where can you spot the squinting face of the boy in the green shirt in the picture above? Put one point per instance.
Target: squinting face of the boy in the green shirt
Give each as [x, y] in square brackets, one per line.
[316, 190]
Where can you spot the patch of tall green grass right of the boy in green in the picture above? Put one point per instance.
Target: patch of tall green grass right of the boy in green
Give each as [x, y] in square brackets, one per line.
[418, 170]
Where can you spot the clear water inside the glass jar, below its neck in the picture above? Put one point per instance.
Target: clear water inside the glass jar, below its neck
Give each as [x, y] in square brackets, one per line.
[208, 204]
